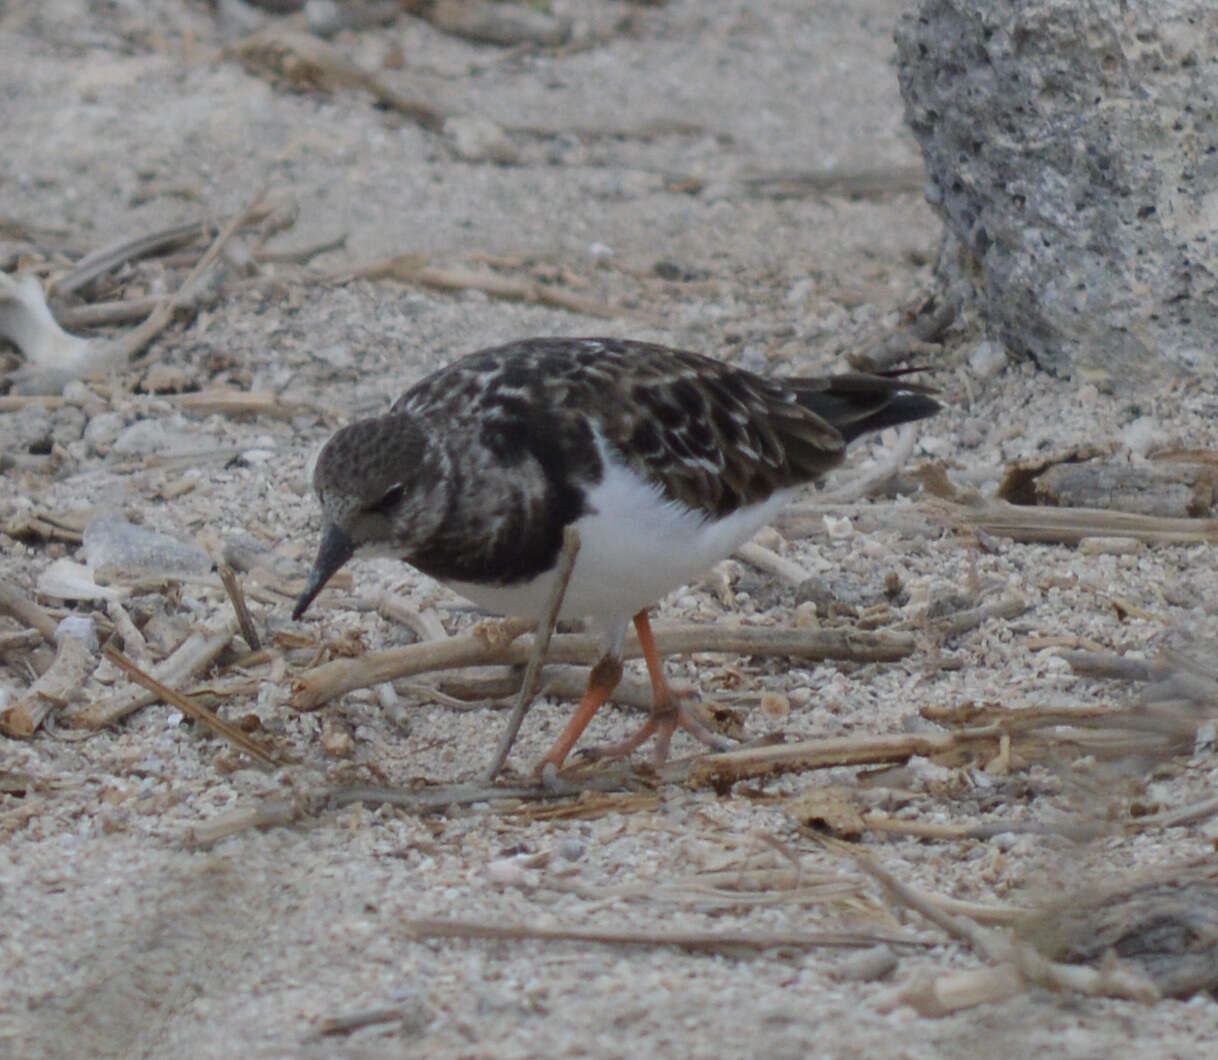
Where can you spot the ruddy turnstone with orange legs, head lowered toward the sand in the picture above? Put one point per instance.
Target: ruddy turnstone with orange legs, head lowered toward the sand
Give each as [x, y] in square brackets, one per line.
[664, 461]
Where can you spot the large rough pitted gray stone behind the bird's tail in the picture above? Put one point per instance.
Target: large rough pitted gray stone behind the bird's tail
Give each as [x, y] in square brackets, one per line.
[1072, 150]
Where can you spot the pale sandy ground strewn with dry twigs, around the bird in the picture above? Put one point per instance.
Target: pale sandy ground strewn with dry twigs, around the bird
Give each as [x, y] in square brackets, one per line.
[122, 939]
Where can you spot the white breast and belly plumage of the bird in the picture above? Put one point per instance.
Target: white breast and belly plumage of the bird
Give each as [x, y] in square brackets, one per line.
[635, 548]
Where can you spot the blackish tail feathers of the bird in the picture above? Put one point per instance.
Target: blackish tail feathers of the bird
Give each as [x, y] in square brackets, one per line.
[859, 404]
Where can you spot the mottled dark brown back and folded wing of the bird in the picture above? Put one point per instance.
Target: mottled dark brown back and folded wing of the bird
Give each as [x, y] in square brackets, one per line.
[709, 436]
